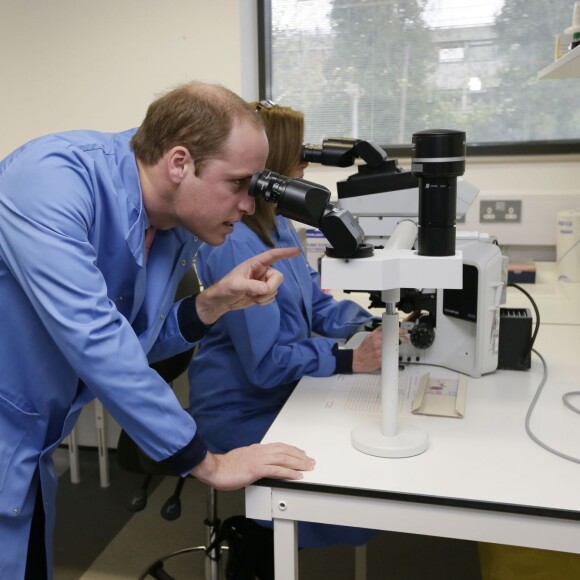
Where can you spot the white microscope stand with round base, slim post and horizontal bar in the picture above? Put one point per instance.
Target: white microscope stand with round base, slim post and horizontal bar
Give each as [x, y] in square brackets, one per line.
[388, 270]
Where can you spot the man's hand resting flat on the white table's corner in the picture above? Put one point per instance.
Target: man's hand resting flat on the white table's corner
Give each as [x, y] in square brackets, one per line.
[241, 467]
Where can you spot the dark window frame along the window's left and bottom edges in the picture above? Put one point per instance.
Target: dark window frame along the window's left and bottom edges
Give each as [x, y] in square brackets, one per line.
[486, 149]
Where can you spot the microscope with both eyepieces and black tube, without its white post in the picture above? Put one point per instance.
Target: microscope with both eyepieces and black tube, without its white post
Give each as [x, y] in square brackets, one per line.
[455, 289]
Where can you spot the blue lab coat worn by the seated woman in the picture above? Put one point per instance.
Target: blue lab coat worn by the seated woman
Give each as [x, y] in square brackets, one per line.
[251, 360]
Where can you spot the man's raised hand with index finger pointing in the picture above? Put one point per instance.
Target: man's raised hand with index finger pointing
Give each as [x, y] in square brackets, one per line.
[251, 282]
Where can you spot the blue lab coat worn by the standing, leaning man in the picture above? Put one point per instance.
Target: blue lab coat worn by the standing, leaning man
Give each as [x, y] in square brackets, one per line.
[79, 316]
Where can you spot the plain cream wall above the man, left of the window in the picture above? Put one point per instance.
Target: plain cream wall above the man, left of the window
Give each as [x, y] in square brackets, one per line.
[71, 64]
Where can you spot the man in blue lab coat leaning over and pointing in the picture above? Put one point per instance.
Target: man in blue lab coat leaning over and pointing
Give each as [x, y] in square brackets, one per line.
[87, 303]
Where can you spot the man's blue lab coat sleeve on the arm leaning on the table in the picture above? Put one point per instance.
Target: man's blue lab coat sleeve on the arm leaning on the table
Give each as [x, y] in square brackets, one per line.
[46, 215]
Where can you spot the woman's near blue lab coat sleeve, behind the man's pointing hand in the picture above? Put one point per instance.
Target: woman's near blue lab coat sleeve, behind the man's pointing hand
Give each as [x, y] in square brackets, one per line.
[274, 341]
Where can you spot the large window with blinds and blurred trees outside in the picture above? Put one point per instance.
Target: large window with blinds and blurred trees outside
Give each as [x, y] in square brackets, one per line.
[381, 70]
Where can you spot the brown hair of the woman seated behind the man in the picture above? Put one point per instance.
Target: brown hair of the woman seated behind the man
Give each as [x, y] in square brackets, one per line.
[285, 131]
